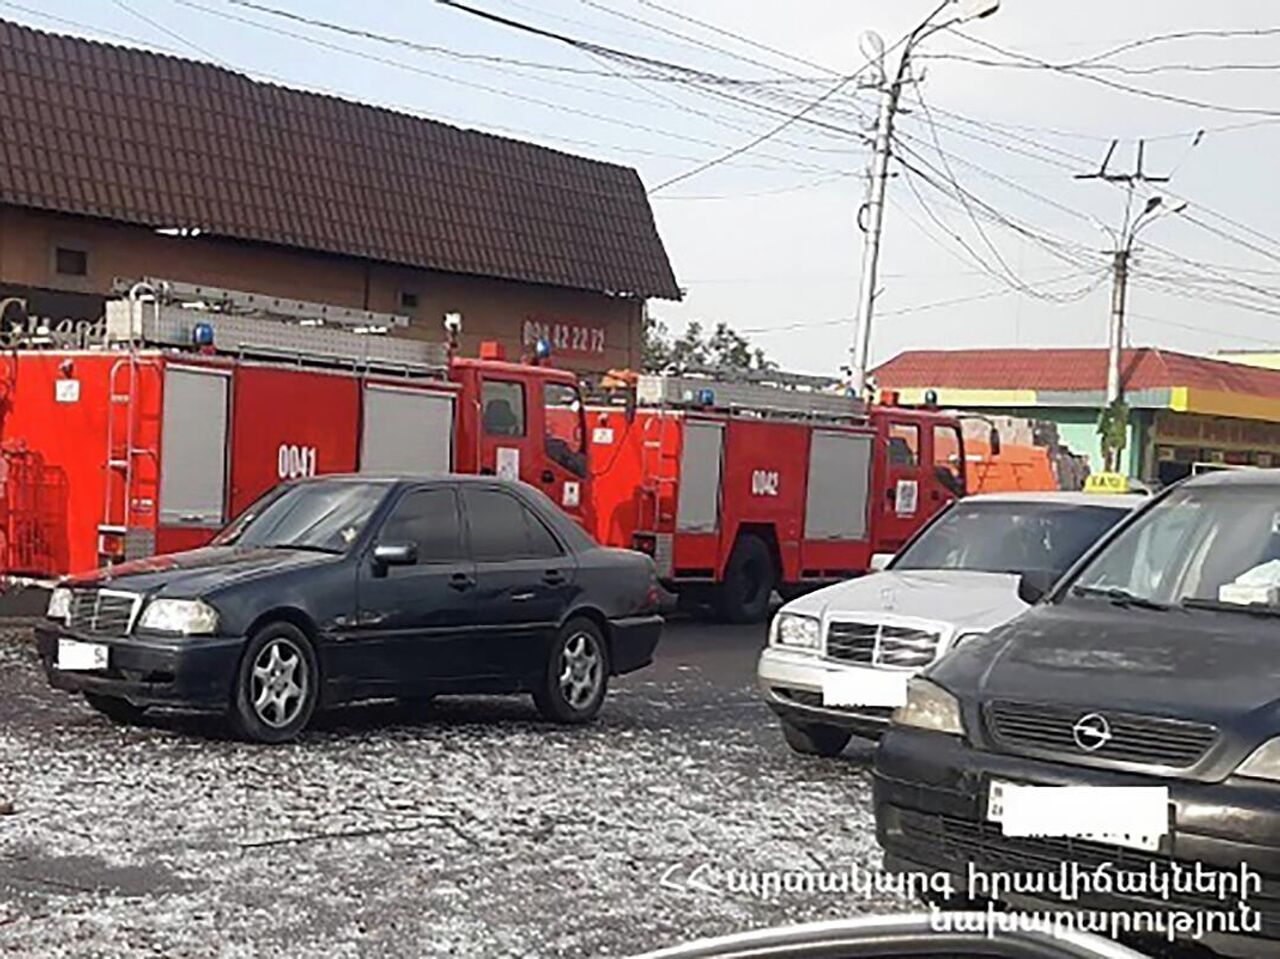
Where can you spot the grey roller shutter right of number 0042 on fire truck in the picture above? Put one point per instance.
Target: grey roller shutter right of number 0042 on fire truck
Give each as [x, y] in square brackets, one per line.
[840, 469]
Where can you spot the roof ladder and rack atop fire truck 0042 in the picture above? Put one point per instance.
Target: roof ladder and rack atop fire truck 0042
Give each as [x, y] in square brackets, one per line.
[766, 392]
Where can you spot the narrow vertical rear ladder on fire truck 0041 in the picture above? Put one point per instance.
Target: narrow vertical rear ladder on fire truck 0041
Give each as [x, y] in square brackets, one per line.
[122, 456]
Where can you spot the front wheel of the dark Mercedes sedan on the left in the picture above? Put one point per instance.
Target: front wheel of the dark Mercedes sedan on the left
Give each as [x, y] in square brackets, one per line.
[277, 684]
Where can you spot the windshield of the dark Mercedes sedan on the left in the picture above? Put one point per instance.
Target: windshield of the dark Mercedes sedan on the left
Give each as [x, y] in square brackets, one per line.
[319, 517]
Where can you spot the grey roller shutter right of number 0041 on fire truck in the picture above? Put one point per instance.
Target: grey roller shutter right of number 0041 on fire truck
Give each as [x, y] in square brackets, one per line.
[406, 431]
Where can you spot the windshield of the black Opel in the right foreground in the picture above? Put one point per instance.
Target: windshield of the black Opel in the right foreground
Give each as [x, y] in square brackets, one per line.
[1200, 545]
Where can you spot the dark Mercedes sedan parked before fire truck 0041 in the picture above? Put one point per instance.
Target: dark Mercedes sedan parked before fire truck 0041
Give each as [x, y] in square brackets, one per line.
[348, 588]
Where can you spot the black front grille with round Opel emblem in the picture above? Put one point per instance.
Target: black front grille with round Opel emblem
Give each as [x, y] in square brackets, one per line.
[1151, 741]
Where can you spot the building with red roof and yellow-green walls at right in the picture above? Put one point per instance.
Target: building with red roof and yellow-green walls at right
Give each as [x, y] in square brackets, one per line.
[1185, 410]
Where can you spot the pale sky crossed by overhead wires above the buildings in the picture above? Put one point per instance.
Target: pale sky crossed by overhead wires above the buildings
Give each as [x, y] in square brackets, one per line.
[769, 241]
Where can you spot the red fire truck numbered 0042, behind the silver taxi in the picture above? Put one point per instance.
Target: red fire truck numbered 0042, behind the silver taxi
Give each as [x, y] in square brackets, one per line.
[739, 487]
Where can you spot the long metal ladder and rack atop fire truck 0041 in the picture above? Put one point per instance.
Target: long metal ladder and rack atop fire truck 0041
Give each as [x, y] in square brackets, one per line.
[164, 313]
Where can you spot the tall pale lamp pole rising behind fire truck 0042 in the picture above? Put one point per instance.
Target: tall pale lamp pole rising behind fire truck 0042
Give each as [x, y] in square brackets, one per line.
[872, 213]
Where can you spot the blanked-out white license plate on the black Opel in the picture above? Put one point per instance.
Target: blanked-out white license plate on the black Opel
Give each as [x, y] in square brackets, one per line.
[1136, 818]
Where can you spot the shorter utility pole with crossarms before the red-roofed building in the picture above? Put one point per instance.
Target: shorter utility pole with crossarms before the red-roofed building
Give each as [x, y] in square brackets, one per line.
[1114, 419]
